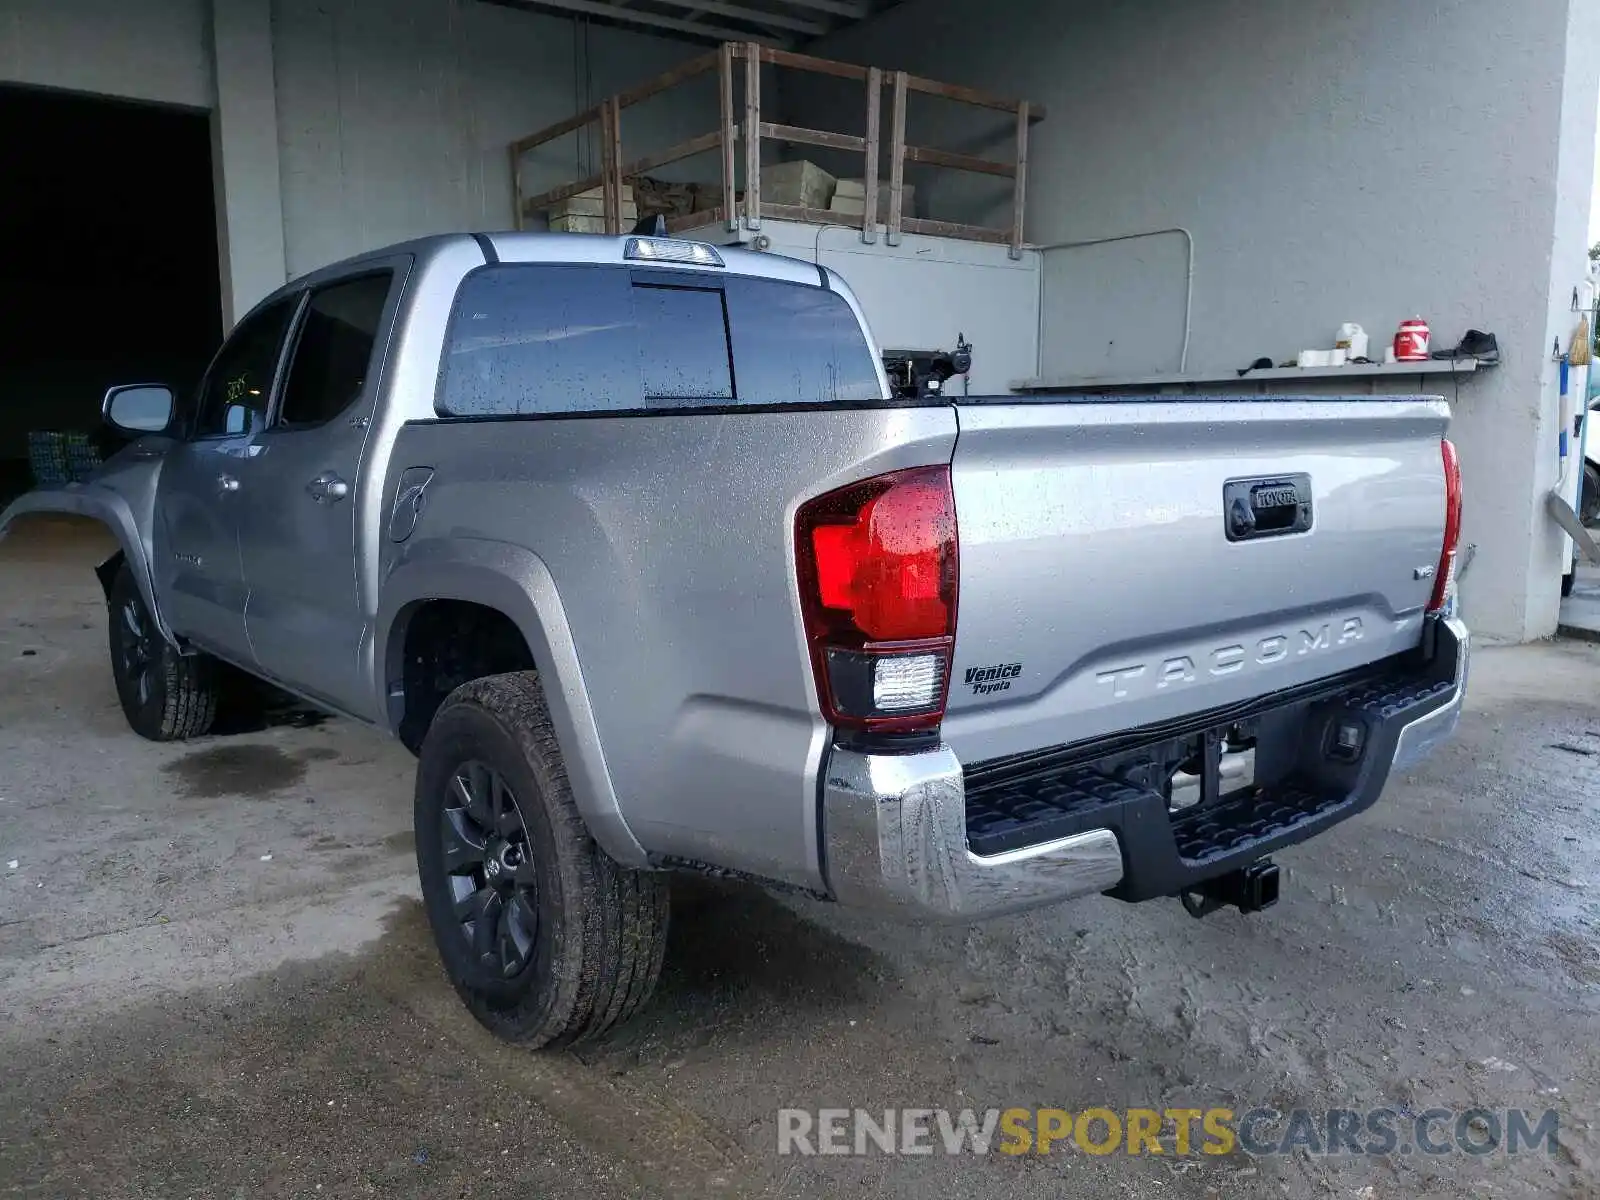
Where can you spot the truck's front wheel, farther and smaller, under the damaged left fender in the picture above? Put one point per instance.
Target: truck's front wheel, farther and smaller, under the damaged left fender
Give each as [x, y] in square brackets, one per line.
[166, 697]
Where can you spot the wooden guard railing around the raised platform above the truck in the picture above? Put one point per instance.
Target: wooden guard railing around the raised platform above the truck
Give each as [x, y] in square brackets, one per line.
[615, 172]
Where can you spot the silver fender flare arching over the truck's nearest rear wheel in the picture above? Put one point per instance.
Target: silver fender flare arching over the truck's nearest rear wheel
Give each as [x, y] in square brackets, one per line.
[516, 585]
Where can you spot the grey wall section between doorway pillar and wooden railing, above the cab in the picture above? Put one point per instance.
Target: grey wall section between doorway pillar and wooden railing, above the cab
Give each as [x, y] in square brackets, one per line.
[394, 116]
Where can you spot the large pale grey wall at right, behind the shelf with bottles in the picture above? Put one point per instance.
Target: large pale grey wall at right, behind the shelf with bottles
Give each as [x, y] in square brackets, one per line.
[1367, 161]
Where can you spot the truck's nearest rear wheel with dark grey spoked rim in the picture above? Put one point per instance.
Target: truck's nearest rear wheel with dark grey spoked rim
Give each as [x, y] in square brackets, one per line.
[545, 937]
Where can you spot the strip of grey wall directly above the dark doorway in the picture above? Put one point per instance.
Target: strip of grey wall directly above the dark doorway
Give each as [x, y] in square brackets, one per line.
[148, 50]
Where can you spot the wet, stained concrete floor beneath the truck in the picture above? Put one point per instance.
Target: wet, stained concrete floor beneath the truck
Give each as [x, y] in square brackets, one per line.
[183, 1015]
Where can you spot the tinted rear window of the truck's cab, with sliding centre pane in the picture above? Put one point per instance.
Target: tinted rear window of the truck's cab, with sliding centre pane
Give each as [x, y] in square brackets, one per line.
[556, 340]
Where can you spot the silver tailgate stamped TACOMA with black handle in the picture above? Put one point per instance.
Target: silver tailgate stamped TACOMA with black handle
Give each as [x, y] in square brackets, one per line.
[1100, 585]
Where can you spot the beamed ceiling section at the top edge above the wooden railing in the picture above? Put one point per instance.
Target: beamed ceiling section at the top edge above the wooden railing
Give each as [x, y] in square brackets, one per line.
[782, 23]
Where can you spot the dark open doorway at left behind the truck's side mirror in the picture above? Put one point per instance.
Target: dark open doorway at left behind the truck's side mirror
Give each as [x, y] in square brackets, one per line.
[108, 260]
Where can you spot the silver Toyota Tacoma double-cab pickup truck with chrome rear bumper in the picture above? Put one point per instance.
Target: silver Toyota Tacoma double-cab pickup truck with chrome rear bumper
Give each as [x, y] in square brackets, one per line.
[633, 545]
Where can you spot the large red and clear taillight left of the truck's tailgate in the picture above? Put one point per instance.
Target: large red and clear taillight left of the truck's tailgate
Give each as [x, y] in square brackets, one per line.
[879, 570]
